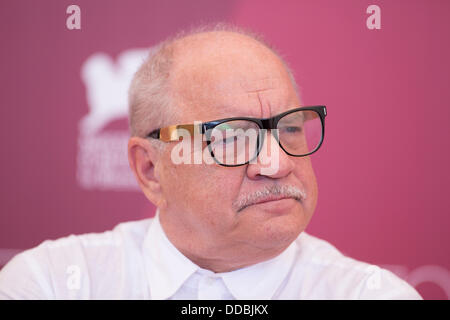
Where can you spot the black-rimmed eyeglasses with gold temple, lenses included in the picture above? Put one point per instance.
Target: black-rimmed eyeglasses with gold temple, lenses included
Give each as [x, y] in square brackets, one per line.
[238, 141]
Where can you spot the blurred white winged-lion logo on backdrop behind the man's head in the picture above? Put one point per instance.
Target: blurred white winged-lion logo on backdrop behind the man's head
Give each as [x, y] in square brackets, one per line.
[102, 154]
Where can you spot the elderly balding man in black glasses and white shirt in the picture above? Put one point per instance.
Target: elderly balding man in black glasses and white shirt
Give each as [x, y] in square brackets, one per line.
[220, 144]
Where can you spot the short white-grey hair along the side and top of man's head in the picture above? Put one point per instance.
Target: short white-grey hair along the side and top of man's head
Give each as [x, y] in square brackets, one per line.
[150, 97]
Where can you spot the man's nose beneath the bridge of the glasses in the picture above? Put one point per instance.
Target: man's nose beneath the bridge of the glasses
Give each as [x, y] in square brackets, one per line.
[271, 162]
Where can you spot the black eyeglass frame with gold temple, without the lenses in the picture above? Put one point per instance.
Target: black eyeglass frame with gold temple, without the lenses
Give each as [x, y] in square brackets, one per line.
[265, 123]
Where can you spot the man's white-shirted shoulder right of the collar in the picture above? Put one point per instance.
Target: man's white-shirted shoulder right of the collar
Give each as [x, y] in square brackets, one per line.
[337, 276]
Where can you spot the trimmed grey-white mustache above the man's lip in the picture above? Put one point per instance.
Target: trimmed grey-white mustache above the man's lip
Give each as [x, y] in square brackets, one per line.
[268, 192]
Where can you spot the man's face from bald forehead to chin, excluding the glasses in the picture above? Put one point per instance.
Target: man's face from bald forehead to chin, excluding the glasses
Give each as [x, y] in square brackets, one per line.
[233, 79]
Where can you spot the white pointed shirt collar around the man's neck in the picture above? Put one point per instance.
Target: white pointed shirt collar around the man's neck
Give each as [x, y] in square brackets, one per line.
[168, 269]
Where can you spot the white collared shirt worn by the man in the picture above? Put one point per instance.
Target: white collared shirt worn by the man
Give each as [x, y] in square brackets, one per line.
[137, 261]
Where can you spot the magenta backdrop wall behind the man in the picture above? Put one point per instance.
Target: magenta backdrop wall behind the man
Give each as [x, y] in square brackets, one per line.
[383, 171]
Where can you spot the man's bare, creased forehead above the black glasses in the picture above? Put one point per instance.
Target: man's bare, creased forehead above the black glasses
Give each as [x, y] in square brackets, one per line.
[234, 80]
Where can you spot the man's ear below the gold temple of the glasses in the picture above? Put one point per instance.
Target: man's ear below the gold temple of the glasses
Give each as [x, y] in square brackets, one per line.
[143, 157]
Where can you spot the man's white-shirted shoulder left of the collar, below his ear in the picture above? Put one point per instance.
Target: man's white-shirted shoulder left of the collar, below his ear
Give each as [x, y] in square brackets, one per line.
[76, 264]
